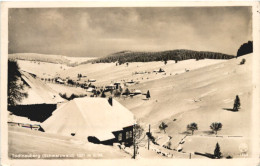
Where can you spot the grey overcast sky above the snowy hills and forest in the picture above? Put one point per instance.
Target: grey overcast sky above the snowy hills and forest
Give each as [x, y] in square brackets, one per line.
[102, 31]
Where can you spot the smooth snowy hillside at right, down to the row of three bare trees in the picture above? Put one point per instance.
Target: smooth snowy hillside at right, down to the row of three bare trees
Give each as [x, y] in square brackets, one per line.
[200, 95]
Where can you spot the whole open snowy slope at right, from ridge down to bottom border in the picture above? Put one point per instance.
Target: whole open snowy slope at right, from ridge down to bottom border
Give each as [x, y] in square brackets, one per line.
[202, 96]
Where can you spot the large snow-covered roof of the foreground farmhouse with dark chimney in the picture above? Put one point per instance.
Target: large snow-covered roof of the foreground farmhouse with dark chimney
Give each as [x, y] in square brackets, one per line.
[89, 117]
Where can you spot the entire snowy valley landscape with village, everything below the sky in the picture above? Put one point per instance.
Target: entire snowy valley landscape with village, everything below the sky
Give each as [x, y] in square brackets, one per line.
[170, 104]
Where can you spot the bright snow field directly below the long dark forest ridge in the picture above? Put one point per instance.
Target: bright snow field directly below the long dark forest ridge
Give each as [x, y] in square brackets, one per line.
[105, 73]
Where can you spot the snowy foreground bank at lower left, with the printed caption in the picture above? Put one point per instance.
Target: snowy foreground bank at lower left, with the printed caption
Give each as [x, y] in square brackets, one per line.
[26, 141]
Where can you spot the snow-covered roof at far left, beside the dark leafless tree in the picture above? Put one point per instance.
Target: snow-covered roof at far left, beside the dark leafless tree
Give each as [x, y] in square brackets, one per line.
[38, 92]
